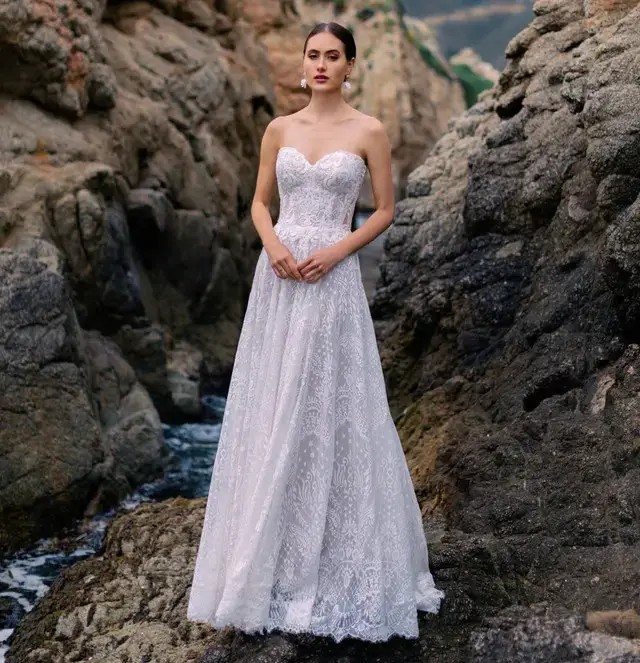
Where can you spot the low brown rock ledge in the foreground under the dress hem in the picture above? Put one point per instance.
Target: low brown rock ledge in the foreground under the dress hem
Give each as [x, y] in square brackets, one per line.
[131, 601]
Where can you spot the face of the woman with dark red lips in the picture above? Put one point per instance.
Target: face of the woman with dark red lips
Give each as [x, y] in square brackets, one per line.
[324, 63]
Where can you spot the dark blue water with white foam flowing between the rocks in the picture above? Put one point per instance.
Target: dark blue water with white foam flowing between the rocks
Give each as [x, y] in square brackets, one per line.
[27, 576]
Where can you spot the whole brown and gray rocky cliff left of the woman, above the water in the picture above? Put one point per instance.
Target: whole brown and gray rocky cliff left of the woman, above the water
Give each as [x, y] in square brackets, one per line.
[128, 133]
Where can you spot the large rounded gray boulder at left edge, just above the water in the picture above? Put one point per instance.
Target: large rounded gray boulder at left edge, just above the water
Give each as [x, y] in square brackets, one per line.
[77, 430]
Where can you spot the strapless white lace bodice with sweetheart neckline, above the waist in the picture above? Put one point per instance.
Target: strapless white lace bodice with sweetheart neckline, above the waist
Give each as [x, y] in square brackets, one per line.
[321, 195]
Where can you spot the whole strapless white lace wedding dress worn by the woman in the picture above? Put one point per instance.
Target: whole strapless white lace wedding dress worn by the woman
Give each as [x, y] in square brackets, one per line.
[312, 523]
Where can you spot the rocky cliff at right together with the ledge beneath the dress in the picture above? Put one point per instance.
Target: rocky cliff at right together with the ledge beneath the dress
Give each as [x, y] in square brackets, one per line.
[507, 313]
